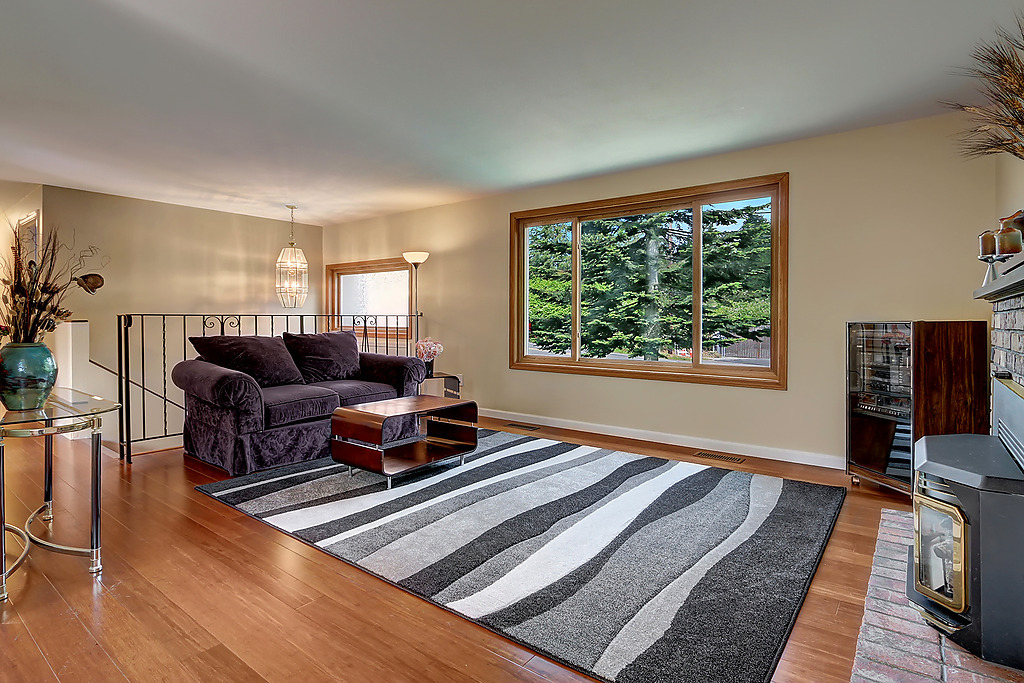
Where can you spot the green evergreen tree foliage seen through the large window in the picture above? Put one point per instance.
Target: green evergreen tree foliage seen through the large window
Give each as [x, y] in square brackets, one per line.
[637, 275]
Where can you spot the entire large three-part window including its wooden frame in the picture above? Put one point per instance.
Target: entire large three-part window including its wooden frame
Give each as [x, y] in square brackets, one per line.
[687, 285]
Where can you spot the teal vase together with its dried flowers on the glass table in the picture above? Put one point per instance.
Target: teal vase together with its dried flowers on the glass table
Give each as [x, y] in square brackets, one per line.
[34, 291]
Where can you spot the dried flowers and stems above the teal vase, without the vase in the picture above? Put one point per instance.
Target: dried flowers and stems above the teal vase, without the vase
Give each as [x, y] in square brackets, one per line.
[34, 289]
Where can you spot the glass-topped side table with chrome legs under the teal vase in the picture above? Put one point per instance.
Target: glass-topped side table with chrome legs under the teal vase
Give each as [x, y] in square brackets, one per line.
[66, 411]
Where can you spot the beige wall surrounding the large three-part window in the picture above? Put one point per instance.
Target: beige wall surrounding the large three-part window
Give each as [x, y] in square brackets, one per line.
[883, 226]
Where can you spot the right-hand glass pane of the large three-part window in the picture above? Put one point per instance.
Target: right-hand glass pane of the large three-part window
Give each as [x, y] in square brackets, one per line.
[737, 296]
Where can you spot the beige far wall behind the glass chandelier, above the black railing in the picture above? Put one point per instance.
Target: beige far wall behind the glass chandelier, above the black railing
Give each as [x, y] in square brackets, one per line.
[173, 260]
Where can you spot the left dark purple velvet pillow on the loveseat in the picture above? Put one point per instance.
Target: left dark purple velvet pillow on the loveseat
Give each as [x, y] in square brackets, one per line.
[265, 359]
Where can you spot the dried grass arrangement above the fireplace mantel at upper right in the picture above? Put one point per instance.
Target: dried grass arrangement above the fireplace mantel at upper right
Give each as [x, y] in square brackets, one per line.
[1000, 67]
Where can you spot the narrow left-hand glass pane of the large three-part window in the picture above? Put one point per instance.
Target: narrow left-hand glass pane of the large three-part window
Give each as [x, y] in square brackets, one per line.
[549, 292]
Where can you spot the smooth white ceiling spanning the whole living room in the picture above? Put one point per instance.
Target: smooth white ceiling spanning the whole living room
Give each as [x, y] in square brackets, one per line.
[355, 108]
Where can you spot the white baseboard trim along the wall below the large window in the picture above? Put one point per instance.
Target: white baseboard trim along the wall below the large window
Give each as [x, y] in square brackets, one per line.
[754, 451]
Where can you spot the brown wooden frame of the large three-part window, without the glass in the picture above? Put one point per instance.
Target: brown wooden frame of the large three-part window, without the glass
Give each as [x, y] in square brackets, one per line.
[775, 377]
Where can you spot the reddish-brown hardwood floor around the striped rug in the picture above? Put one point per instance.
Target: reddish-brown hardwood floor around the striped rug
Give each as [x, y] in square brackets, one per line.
[194, 590]
